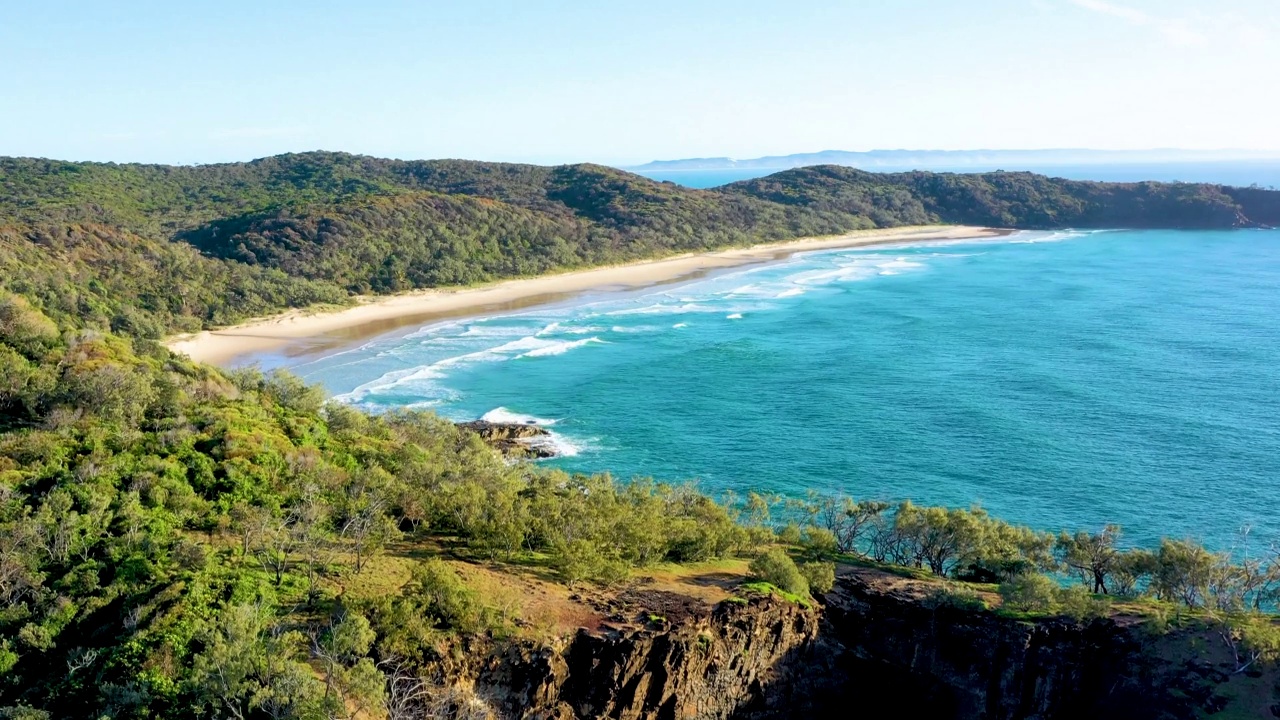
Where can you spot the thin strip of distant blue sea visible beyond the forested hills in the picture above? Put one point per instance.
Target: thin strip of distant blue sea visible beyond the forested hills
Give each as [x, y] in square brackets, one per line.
[1265, 174]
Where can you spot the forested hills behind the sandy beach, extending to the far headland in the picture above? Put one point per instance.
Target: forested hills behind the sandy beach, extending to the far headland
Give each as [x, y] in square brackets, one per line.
[156, 250]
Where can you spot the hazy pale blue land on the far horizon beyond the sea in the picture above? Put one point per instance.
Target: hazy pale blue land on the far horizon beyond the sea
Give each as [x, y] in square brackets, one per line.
[956, 160]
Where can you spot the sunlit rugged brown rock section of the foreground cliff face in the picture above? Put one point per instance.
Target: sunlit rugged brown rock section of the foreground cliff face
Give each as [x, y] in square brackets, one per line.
[734, 659]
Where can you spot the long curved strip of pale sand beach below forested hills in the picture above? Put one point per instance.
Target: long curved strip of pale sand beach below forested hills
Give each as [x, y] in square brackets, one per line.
[300, 332]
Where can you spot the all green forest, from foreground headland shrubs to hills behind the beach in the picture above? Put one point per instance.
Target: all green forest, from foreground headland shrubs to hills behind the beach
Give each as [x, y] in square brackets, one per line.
[180, 541]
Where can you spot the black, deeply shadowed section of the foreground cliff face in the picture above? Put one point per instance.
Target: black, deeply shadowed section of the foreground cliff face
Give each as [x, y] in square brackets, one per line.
[957, 663]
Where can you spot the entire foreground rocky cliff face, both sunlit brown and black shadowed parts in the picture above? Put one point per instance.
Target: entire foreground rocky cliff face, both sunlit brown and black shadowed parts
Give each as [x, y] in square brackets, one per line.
[877, 649]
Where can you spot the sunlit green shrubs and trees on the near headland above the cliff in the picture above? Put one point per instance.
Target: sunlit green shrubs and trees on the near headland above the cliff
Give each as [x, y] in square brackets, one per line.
[184, 541]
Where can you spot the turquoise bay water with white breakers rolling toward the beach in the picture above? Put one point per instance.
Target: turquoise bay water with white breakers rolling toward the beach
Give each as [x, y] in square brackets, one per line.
[1063, 381]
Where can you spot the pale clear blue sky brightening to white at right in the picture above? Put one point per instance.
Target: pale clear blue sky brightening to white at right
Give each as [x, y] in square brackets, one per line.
[623, 81]
